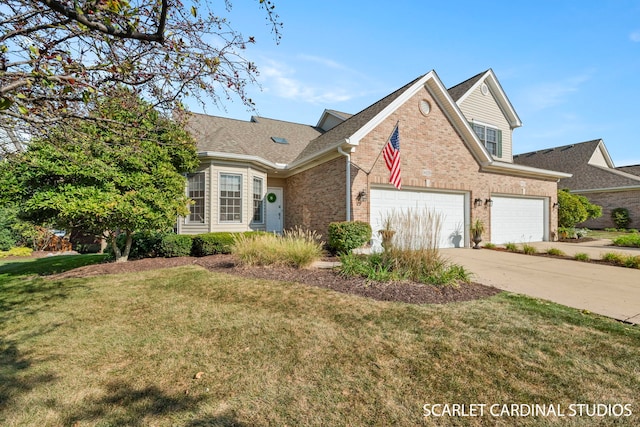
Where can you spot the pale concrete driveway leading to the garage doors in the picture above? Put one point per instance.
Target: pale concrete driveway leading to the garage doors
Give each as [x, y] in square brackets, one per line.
[607, 290]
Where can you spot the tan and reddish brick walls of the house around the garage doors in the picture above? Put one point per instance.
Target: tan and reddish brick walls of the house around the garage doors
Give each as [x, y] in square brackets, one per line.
[433, 157]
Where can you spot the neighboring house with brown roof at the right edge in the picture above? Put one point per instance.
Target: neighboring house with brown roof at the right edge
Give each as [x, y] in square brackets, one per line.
[593, 176]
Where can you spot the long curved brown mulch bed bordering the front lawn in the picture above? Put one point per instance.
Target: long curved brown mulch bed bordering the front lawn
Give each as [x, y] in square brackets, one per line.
[407, 292]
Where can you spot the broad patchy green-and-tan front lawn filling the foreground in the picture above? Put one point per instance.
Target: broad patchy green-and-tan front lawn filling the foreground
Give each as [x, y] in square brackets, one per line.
[124, 350]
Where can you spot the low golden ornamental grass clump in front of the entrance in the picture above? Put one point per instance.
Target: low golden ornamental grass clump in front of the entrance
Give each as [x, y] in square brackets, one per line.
[295, 248]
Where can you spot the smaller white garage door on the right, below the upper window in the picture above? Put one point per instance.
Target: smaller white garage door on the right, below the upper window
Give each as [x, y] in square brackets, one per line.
[518, 220]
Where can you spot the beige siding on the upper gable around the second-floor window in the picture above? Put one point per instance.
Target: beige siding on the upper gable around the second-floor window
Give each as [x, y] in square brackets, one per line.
[485, 109]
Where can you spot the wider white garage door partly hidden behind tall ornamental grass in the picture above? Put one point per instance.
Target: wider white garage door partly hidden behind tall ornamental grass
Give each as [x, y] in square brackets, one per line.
[450, 206]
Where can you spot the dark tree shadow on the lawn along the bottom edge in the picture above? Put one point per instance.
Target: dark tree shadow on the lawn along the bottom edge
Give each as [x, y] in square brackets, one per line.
[123, 404]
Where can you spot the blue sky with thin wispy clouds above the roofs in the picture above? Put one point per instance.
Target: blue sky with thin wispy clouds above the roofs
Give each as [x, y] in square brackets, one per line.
[570, 68]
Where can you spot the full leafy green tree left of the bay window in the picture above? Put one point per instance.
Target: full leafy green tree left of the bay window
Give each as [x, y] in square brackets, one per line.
[108, 183]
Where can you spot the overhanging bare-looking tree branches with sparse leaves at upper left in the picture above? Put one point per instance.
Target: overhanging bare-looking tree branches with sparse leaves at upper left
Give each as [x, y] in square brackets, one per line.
[57, 56]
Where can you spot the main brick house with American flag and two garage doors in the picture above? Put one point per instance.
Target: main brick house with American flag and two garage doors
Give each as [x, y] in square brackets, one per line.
[455, 156]
